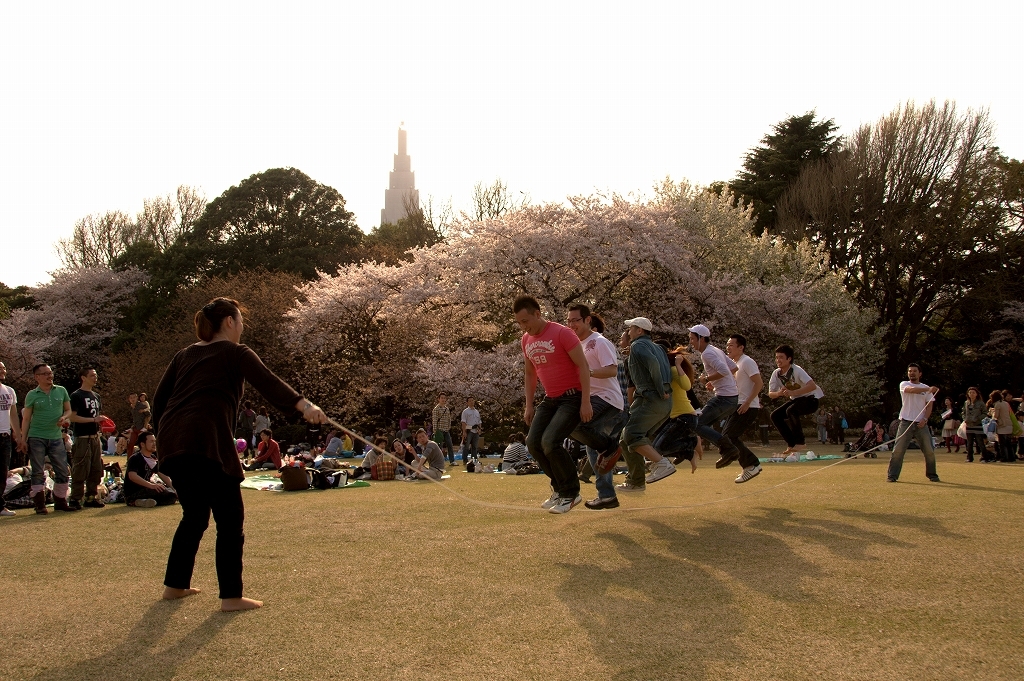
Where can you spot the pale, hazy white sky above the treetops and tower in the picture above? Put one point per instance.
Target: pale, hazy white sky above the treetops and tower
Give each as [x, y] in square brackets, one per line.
[108, 104]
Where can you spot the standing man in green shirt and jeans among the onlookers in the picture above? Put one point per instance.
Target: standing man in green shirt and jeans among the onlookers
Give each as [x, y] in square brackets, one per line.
[48, 407]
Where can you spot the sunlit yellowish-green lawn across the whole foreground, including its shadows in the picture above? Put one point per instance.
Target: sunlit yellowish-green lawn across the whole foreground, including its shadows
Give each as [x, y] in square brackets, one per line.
[838, 575]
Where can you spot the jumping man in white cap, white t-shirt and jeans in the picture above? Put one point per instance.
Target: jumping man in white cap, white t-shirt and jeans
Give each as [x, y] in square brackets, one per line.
[718, 376]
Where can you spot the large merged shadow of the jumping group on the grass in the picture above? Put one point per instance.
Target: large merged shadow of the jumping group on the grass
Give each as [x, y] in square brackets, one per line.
[655, 609]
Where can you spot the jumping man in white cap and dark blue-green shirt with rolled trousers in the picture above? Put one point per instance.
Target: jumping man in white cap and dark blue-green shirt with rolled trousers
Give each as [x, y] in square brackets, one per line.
[652, 405]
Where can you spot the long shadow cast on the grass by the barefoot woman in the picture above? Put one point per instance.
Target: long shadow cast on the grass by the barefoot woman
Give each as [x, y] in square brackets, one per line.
[138, 656]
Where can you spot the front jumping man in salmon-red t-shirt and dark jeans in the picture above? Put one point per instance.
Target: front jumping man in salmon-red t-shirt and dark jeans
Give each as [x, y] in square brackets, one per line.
[556, 357]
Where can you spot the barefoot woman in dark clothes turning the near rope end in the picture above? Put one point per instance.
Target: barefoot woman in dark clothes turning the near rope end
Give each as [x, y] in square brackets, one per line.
[194, 413]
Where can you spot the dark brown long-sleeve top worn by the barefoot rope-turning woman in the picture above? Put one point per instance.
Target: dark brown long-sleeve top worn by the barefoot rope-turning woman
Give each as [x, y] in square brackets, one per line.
[197, 403]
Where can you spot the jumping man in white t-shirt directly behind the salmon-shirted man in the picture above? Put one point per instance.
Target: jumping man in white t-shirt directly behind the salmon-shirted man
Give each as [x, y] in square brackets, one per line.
[601, 435]
